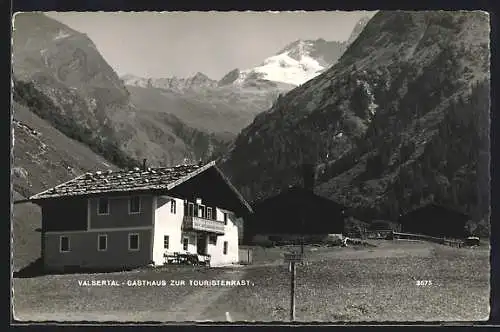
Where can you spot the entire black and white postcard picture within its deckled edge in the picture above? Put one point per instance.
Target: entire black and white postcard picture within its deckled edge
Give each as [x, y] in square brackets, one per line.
[323, 166]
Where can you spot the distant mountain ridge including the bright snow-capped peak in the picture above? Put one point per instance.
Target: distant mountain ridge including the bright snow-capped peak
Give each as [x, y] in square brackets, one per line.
[238, 96]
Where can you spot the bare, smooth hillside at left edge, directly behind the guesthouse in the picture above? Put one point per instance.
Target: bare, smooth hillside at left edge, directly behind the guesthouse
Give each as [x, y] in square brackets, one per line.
[43, 158]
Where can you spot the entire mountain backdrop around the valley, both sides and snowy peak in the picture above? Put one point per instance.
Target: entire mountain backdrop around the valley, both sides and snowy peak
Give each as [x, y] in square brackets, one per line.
[382, 109]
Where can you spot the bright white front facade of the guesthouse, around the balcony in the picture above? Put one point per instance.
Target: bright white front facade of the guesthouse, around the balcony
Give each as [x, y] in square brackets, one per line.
[168, 222]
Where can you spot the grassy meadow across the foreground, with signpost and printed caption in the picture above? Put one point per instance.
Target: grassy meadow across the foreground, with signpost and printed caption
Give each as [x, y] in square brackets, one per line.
[335, 284]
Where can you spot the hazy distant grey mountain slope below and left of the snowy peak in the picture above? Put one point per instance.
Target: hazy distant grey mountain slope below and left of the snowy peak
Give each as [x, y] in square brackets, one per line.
[205, 104]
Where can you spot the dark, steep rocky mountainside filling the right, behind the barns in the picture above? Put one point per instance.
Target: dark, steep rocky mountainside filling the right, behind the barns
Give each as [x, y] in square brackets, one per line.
[402, 118]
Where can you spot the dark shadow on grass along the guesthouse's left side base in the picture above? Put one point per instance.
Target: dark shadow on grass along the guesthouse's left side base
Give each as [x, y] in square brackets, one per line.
[36, 269]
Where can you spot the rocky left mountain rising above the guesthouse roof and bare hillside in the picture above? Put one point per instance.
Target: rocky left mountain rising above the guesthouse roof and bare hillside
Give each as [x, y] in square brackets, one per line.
[80, 93]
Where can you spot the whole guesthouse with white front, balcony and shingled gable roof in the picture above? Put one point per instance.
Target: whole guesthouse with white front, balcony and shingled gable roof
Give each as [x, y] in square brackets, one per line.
[133, 218]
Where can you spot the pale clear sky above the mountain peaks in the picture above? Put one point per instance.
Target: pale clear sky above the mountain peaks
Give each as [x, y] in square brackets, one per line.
[166, 44]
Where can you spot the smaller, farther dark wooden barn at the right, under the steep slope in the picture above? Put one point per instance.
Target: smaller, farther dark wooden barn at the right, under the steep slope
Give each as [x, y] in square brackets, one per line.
[435, 220]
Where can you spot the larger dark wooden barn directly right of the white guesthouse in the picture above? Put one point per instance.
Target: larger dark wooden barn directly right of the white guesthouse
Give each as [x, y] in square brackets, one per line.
[295, 211]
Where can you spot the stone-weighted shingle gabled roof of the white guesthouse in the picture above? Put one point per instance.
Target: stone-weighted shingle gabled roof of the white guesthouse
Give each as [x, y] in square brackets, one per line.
[164, 178]
